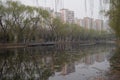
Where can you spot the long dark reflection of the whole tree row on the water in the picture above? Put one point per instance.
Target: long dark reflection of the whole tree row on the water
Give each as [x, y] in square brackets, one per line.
[40, 64]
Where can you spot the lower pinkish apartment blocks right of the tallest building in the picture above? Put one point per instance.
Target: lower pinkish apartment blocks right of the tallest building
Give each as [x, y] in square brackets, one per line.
[90, 23]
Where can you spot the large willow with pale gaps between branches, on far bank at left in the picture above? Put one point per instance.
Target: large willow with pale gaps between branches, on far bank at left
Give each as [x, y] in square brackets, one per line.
[20, 23]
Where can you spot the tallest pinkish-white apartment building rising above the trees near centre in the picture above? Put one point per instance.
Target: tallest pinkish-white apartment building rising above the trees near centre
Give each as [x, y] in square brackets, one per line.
[67, 15]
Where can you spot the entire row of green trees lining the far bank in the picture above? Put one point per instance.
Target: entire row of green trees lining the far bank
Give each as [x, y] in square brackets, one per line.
[20, 24]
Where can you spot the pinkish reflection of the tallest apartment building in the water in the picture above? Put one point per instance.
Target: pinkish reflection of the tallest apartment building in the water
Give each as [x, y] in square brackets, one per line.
[68, 68]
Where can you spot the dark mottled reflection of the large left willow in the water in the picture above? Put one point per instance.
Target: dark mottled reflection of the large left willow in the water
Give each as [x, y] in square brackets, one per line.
[19, 66]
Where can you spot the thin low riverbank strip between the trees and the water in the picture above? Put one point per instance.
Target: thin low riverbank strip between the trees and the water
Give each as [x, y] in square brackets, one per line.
[23, 45]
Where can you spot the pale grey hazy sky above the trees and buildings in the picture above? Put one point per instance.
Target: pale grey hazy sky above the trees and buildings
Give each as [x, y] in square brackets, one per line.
[92, 8]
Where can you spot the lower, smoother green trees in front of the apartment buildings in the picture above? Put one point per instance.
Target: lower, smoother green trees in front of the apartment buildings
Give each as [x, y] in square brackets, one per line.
[74, 32]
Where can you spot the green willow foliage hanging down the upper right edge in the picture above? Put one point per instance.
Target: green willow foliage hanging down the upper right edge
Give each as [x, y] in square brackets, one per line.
[114, 16]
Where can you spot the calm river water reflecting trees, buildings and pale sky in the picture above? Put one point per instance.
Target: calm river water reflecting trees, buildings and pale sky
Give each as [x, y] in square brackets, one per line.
[51, 63]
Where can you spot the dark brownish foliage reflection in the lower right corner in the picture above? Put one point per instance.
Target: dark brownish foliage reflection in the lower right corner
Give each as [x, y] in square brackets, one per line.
[115, 65]
